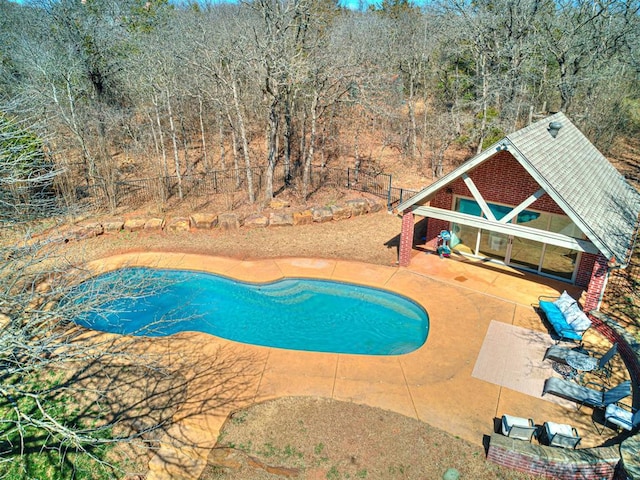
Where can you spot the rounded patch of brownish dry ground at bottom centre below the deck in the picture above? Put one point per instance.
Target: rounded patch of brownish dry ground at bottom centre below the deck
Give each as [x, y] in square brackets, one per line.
[315, 438]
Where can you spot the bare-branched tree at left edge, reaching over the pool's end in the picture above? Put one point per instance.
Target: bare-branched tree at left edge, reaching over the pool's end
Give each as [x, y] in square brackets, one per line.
[68, 394]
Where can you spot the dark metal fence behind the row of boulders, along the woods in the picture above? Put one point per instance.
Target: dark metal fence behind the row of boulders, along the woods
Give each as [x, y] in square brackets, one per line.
[160, 190]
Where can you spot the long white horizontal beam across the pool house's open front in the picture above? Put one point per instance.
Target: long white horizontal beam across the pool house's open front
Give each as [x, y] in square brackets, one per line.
[516, 230]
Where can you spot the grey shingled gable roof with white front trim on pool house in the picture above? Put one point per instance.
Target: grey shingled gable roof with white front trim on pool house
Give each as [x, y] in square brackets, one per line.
[575, 174]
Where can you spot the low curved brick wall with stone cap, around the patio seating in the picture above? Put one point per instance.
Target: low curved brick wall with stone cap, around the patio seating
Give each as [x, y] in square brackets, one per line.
[618, 462]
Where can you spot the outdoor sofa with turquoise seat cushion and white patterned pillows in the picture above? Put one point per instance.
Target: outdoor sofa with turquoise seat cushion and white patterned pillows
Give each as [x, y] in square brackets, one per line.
[565, 316]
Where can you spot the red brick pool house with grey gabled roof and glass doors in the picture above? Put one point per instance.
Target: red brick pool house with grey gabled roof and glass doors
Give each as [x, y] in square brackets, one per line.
[542, 199]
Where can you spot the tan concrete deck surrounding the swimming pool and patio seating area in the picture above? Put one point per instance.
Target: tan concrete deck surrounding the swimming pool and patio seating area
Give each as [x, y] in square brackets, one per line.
[443, 383]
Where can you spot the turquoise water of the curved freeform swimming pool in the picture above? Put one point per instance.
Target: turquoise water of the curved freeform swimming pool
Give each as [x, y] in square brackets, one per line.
[297, 314]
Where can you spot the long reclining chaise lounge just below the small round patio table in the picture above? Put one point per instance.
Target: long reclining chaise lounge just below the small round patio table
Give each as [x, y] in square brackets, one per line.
[584, 395]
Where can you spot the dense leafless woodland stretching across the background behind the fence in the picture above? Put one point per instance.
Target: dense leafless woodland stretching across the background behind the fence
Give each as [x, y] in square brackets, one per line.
[136, 89]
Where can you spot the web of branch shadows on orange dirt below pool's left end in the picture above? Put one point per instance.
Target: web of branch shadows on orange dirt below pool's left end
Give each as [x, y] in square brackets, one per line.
[130, 393]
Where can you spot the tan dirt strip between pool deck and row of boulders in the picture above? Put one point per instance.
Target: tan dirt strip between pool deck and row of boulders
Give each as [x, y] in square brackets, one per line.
[371, 238]
